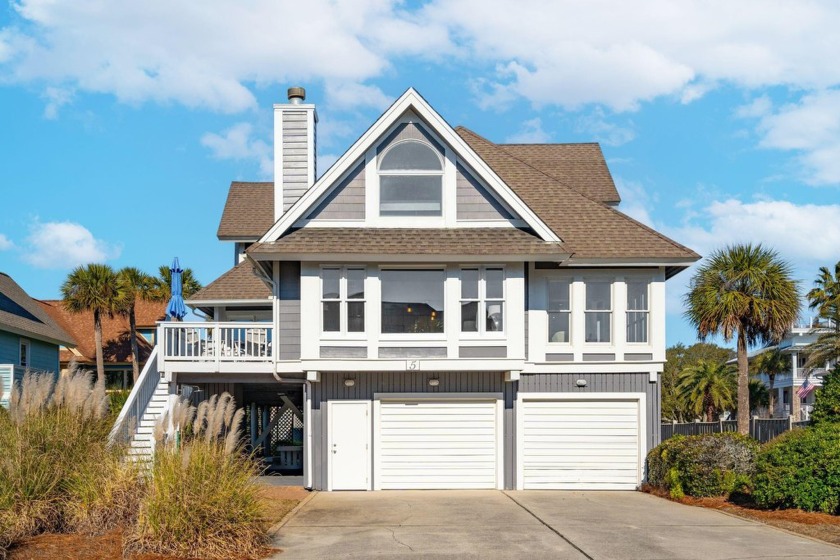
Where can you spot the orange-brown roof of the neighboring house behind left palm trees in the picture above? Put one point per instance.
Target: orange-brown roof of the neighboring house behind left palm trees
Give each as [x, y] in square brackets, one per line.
[116, 345]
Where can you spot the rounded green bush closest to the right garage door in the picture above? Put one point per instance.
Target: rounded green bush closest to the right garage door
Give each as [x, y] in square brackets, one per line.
[703, 466]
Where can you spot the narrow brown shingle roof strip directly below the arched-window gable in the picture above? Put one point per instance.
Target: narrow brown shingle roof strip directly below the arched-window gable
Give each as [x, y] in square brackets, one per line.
[417, 241]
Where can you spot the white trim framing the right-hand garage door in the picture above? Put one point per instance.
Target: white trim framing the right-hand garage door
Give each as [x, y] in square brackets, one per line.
[641, 398]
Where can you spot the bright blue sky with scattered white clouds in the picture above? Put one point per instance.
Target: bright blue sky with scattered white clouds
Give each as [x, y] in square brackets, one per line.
[123, 123]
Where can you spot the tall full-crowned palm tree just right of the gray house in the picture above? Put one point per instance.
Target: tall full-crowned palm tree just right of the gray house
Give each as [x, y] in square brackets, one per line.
[747, 292]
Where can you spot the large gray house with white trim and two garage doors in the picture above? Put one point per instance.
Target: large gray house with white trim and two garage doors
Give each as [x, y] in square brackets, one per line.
[436, 311]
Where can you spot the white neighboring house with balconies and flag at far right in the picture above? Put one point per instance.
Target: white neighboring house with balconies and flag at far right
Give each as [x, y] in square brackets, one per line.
[790, 402]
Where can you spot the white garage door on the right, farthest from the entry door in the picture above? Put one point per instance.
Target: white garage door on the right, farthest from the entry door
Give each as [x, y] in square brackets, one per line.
[580, 444]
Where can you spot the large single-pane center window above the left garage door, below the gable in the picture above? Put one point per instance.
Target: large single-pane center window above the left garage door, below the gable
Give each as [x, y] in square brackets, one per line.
[412, 301]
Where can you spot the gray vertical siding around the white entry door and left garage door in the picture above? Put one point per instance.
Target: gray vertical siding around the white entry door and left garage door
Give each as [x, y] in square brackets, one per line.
[332, 387]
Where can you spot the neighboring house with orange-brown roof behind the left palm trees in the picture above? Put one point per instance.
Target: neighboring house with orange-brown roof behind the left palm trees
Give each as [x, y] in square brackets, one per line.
[116, 342]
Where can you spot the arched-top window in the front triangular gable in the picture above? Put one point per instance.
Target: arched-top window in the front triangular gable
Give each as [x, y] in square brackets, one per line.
[410, 180]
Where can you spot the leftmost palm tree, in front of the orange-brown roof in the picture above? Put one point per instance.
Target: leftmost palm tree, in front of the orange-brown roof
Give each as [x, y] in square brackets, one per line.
[93, 288]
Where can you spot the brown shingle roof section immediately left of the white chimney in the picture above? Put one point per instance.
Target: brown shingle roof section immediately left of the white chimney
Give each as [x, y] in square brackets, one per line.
[249, 211]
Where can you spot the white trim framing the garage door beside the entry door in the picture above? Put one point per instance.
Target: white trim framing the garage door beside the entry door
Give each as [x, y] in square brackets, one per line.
[500, 427]
